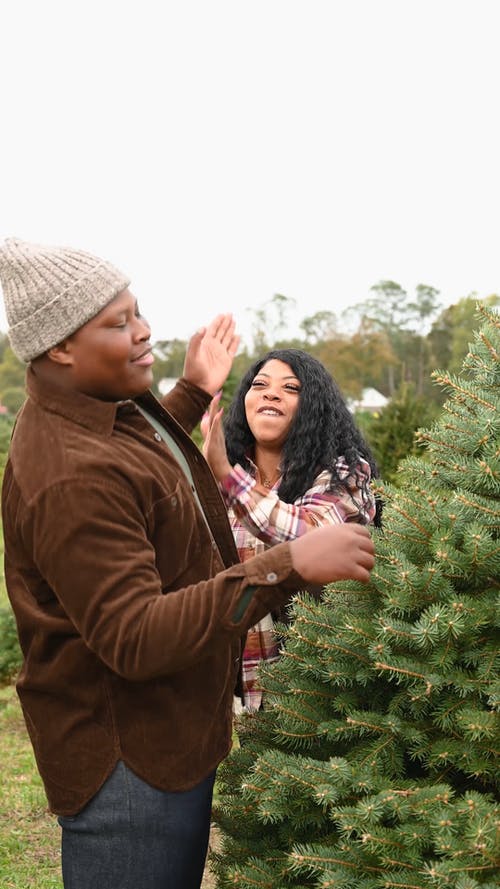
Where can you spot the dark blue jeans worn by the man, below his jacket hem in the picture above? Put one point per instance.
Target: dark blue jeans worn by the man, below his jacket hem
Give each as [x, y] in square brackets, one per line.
[133, 836]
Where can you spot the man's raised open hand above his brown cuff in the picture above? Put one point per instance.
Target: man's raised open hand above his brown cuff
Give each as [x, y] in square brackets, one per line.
[210, 354]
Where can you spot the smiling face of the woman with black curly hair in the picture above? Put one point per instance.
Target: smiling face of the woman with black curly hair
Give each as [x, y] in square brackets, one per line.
[271, 403]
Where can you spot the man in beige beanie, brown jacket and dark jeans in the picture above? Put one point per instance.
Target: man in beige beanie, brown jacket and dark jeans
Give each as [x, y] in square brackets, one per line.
[121, 568]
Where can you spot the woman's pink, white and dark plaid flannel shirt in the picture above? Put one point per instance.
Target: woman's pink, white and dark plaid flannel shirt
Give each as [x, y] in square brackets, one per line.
[259, 519]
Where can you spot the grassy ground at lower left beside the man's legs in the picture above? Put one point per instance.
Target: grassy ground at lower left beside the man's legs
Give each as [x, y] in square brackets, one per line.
[29, 833]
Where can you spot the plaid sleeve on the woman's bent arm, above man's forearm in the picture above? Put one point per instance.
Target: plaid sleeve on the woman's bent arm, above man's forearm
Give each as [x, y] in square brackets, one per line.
[272, 520]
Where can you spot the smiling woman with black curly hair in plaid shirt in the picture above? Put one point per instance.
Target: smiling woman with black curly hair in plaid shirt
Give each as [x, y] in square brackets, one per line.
[289, 458]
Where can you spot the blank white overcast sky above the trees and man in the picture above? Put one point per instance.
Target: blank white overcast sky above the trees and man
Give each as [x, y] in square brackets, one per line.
[220, 152]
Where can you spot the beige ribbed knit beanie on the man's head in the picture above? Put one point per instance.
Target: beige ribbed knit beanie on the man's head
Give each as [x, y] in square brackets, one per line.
[49, 292]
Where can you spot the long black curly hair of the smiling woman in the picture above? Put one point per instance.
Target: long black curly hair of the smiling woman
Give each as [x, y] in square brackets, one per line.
[323, 428]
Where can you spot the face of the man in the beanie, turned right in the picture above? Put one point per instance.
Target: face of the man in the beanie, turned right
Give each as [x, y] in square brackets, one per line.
[110, 357]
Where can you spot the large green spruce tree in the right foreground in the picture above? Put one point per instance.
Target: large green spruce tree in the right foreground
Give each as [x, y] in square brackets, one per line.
[375, 762]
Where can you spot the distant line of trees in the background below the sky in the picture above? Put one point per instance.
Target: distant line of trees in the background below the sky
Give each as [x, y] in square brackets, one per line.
[392, 342]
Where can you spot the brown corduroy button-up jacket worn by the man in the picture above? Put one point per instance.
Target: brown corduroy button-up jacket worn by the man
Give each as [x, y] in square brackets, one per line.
[131, 643]
